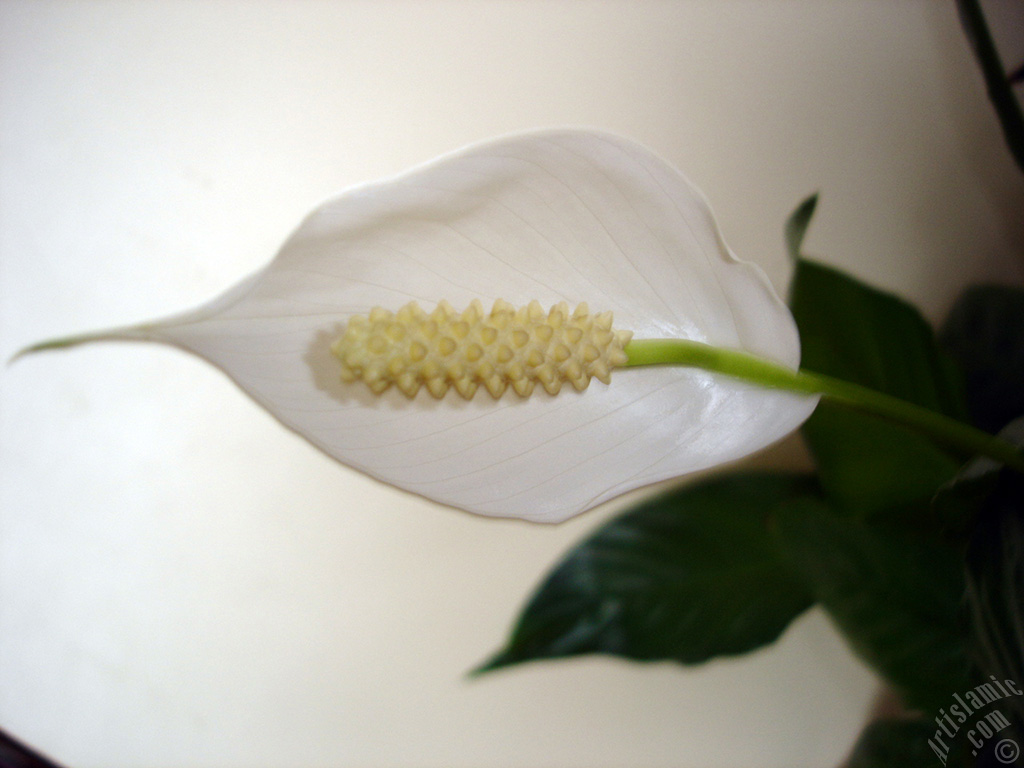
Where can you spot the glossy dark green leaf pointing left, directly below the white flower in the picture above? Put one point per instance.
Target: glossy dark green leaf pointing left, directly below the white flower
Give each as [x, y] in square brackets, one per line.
[689, 576]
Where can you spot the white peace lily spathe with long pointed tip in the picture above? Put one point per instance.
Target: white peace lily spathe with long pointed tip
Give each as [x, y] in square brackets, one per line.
[558, 217]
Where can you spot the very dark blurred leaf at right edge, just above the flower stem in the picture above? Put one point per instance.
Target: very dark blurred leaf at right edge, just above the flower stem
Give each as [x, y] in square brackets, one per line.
[985, 333]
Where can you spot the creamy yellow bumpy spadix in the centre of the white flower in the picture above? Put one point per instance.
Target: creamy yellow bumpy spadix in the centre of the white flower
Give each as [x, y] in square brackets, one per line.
[509, 348]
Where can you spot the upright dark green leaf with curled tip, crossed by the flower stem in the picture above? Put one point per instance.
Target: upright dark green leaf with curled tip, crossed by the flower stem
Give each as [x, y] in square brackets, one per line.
[851, 331]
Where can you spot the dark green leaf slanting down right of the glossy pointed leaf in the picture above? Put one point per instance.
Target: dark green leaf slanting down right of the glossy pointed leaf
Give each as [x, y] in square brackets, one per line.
[894, 596]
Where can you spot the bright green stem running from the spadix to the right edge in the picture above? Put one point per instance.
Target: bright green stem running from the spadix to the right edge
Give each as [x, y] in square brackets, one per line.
[750, 368]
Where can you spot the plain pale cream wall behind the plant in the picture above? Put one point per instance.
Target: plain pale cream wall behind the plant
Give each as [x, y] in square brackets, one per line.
[183, 582]
